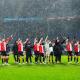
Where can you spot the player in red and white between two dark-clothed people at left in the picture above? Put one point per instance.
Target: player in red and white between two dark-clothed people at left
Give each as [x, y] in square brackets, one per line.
[20, 51]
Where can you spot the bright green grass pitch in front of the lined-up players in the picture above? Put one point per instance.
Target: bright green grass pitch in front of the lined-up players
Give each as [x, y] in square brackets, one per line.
[62, 71]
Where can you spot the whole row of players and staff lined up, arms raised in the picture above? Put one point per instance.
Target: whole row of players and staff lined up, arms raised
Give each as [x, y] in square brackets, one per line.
[43, 50]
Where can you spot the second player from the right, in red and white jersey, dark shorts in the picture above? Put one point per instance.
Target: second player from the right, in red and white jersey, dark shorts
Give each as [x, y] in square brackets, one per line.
[69, 50]
